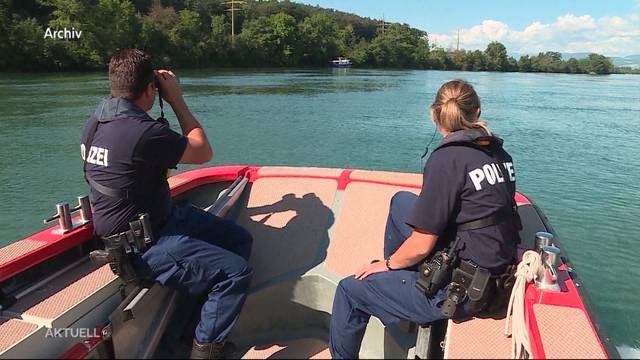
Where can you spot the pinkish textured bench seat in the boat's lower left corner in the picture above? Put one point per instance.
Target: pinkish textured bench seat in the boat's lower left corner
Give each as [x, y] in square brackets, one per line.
[77, 299]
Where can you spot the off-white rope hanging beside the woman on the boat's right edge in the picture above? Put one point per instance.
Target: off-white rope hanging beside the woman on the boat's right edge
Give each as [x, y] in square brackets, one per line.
[527, 272]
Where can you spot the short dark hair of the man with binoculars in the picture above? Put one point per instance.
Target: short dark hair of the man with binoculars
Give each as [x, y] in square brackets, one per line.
[130, 71]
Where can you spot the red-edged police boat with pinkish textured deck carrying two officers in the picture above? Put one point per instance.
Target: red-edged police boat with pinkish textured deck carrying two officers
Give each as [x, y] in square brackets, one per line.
[309, 227]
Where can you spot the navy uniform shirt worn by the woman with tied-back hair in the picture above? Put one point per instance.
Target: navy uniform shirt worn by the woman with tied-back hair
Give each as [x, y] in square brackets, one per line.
[465, 183]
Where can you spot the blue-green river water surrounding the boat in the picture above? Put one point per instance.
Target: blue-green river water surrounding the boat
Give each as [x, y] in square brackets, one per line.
[574, 139]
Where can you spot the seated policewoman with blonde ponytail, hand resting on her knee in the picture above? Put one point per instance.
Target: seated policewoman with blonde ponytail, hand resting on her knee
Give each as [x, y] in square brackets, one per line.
[467, 194]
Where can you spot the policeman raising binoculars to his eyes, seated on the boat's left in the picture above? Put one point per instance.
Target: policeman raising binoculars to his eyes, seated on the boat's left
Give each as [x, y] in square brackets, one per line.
[127, 155]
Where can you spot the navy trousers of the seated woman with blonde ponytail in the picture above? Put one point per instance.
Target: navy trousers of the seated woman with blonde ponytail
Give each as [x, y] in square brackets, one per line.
[390, 296]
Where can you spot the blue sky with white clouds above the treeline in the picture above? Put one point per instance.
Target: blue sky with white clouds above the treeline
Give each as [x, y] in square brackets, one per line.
[609, 27]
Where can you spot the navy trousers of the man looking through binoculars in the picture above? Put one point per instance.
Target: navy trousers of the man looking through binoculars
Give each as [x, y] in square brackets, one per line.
[196, 253]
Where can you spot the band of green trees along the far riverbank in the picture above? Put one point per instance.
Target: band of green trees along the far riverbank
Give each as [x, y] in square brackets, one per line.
[269, 33]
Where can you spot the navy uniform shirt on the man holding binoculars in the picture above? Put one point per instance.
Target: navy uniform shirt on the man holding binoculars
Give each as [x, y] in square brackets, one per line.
[129, 150]
